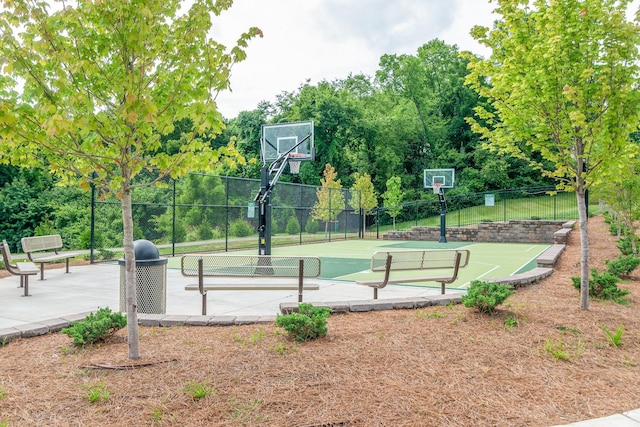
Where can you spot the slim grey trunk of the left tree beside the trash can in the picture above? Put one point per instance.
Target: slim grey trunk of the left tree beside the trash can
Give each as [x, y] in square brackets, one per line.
[130, 276]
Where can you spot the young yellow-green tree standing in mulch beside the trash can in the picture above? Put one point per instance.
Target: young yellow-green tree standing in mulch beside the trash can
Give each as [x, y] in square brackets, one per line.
[89, 89]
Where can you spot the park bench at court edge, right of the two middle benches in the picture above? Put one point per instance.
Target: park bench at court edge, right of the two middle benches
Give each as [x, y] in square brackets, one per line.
[438, 265]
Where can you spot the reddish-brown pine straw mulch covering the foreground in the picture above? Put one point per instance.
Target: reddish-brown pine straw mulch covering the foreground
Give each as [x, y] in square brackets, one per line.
[441, 366]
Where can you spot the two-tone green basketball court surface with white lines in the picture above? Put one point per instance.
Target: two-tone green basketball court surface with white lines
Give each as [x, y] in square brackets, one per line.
[349, 260]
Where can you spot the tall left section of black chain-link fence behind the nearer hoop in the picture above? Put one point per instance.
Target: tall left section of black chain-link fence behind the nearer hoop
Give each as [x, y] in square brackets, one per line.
[207, 213]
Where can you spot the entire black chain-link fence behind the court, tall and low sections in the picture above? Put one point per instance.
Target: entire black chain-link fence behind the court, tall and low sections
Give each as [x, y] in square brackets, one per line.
[206, 213]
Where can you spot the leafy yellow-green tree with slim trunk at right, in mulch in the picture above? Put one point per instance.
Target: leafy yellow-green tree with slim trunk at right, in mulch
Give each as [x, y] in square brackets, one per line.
[562, 84]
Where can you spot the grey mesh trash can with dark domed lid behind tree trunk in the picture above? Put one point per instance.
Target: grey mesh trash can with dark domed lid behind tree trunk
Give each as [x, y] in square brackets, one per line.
[151, 279]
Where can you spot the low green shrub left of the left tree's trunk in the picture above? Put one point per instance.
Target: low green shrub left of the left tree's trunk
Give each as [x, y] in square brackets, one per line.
[95, 326]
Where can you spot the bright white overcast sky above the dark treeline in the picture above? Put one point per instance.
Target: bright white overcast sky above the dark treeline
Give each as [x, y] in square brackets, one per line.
[330, 39]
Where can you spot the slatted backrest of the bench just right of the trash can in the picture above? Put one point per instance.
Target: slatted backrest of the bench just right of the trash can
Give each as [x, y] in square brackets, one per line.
[250, 265]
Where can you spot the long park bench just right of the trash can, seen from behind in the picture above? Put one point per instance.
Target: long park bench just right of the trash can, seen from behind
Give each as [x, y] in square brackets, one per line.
[249, 272]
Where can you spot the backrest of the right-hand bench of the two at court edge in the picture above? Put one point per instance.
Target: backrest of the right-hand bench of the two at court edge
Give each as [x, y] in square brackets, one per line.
[420, 260]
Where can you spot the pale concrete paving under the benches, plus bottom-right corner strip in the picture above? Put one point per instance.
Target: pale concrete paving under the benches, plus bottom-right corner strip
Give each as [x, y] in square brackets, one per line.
[62, 298]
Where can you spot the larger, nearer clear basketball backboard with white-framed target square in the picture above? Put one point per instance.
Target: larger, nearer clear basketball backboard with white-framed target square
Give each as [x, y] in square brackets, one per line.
[283, 138]
